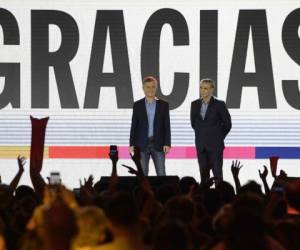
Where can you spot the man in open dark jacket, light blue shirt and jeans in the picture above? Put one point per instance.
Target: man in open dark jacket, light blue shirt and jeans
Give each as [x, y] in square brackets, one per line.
[150, 128]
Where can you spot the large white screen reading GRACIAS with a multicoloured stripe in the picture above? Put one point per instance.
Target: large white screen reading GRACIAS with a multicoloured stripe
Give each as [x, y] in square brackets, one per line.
[82, 63]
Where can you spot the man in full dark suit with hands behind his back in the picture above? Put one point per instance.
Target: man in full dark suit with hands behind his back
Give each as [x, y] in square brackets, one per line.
[211, 122]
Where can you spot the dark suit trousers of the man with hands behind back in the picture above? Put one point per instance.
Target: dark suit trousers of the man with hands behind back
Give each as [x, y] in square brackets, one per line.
[210, 160]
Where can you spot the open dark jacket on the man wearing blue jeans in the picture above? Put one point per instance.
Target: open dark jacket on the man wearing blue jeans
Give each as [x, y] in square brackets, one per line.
[161, 127]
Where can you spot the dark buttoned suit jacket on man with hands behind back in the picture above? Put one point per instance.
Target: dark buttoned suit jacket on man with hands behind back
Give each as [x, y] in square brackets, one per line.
[210, 132]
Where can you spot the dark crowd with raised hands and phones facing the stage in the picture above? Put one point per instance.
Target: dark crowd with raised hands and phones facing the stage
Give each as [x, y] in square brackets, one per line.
[182, 215]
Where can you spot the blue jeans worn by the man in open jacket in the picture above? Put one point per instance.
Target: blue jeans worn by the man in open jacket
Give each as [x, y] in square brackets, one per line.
[158, 158]
